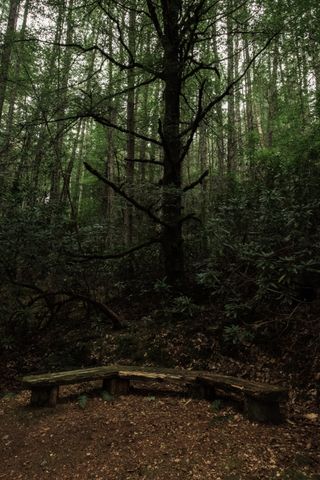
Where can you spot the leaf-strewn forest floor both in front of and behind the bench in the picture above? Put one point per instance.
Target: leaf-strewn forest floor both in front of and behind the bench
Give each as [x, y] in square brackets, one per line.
[156, 435]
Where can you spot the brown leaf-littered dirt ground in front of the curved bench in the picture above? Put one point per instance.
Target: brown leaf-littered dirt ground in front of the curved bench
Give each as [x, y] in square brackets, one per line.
[150, 436]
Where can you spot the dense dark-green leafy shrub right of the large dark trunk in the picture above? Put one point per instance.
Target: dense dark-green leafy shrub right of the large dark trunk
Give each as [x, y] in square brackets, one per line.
[264, 239]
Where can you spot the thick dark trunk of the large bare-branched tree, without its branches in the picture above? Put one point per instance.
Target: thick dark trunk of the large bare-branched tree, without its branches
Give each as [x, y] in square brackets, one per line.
[172, 241]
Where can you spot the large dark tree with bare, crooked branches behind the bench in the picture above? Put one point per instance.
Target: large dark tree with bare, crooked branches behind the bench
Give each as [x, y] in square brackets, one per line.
[179, 28]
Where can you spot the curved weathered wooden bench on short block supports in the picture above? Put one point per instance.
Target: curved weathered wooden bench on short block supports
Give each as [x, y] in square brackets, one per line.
[261, 401]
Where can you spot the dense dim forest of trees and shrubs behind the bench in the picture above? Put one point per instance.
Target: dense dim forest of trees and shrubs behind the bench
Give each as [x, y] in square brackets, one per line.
[159, 172]
